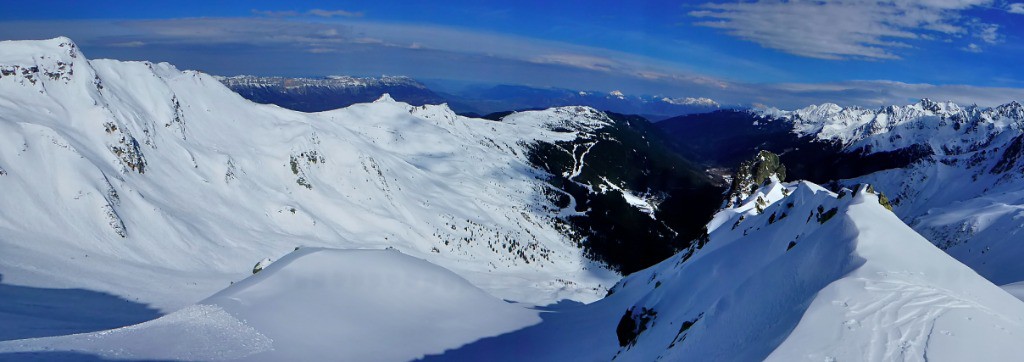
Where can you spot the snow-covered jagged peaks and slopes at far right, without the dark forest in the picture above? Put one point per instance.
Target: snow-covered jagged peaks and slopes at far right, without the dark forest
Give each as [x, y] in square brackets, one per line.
[963, 190]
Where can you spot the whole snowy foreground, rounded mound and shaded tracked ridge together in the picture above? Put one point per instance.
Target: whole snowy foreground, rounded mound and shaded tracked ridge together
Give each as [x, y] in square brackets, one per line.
[765, 284]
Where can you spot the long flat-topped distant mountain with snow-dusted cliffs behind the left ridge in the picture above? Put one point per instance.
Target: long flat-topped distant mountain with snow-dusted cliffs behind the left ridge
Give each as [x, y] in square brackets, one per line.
[319, 95]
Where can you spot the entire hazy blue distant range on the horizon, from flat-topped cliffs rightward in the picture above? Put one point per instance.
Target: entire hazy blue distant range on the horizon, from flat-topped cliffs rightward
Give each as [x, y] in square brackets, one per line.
[319, 95]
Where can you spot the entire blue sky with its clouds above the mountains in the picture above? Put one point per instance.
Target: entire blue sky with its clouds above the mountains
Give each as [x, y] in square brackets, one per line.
[785, 54]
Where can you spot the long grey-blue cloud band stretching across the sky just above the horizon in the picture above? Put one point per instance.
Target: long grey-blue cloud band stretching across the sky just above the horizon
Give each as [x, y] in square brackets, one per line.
[288, 48]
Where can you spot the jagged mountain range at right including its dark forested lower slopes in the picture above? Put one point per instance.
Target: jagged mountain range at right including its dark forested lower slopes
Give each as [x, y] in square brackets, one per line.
[952, 172]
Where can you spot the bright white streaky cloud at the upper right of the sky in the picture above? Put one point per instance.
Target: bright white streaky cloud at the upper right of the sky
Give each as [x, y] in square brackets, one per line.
[844, 29]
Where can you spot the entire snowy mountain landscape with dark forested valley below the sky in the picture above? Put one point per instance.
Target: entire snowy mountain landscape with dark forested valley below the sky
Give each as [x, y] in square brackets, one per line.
[149, 213]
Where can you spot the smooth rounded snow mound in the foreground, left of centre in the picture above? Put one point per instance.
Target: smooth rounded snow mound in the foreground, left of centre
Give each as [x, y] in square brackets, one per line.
[315, 304]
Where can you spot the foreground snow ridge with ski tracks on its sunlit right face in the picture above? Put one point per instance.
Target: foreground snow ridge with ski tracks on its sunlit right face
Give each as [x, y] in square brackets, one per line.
[814, 277]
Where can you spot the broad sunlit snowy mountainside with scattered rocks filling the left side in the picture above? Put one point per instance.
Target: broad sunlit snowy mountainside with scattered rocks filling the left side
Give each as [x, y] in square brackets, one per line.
[161, 187]
